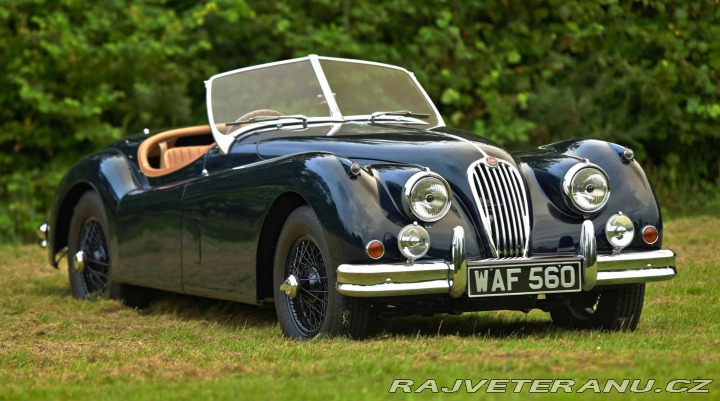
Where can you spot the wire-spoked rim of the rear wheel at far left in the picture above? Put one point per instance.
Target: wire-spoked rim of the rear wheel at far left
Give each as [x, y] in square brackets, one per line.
[95, 272]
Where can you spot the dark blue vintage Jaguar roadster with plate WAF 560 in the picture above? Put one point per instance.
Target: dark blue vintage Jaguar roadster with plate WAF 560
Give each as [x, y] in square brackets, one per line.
[333, 189]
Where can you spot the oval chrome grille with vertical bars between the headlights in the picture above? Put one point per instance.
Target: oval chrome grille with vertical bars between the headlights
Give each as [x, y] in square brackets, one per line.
[502, 202]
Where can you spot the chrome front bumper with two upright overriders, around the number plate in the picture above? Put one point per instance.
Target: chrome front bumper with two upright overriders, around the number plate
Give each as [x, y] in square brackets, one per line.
[451, 277]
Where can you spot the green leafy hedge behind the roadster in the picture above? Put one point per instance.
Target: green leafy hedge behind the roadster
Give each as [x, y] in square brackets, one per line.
[75, 75]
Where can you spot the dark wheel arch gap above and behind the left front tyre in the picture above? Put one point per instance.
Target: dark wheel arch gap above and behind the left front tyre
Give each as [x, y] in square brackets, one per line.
[275, 218]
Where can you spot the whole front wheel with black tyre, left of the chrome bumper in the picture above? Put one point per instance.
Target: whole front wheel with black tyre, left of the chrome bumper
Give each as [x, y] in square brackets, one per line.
[308, 305]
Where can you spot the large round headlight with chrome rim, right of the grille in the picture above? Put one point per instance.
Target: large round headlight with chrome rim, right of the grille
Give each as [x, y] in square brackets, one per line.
[587, 186]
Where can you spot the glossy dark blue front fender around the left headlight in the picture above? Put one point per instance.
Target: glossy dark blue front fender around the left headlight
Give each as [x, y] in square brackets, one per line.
[357, 209]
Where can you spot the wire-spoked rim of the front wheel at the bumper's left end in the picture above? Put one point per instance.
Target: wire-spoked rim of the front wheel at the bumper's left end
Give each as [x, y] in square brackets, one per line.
[309, 306]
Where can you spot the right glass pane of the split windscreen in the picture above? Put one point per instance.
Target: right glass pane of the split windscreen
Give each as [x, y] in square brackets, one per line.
[362, 89]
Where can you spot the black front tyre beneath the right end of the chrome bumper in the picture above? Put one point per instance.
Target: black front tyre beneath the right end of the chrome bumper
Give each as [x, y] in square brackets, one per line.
[612, 309]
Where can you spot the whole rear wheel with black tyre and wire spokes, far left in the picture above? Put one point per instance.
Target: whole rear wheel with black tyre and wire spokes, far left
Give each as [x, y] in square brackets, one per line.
[90, 270]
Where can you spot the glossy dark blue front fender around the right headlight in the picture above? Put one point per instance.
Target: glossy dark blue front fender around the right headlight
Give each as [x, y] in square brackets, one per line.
[555, 227]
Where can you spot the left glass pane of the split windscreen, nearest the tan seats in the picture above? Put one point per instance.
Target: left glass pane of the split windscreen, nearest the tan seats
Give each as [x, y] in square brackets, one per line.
[290, 88]
